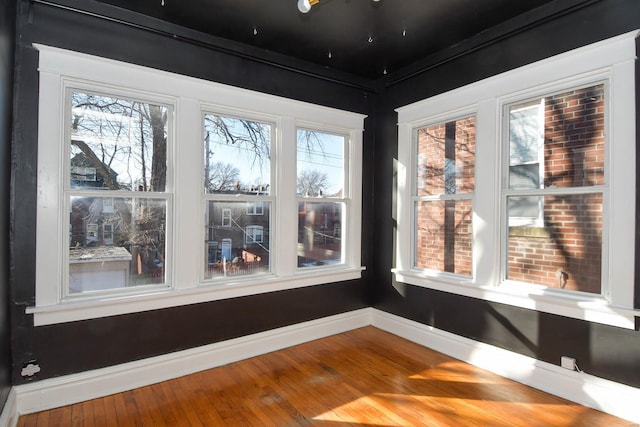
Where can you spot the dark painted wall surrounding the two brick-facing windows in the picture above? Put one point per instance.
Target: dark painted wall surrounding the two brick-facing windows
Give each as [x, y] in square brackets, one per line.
[607, 352]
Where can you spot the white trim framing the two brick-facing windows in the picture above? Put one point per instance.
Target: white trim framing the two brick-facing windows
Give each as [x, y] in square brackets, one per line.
[611, 60]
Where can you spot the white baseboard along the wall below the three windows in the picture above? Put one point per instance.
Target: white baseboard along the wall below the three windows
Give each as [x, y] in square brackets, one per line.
[56, 392]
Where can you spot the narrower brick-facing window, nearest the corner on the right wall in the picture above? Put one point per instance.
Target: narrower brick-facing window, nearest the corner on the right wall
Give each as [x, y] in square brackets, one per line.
[443, 197]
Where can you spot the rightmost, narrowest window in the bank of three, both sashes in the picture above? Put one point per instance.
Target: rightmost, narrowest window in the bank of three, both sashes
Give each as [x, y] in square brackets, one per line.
[321, 185]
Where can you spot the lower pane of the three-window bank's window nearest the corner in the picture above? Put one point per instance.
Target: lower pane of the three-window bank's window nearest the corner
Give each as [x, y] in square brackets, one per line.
[319, 233]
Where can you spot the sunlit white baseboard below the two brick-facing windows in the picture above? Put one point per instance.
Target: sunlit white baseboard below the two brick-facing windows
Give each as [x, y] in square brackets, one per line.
[607, 396]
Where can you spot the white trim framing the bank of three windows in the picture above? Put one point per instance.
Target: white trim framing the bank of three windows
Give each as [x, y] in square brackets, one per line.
[60, 68]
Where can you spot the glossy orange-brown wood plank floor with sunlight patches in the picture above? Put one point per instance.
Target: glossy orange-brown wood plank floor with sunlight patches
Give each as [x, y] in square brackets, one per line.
[364, 377]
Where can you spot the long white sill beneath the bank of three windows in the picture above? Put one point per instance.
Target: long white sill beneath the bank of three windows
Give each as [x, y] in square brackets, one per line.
[112, 305]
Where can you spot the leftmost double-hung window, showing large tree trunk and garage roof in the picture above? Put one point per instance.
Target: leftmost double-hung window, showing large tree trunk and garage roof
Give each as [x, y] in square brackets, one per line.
[117, 145]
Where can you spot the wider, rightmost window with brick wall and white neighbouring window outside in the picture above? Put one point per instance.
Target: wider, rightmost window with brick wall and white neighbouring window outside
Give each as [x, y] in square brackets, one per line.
[565, 143]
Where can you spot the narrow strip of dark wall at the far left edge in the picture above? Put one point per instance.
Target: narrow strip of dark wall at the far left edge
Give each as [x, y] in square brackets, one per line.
[7, 36]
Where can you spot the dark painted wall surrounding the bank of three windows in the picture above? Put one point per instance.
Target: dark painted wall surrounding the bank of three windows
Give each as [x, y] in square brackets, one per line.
[79, 346]
